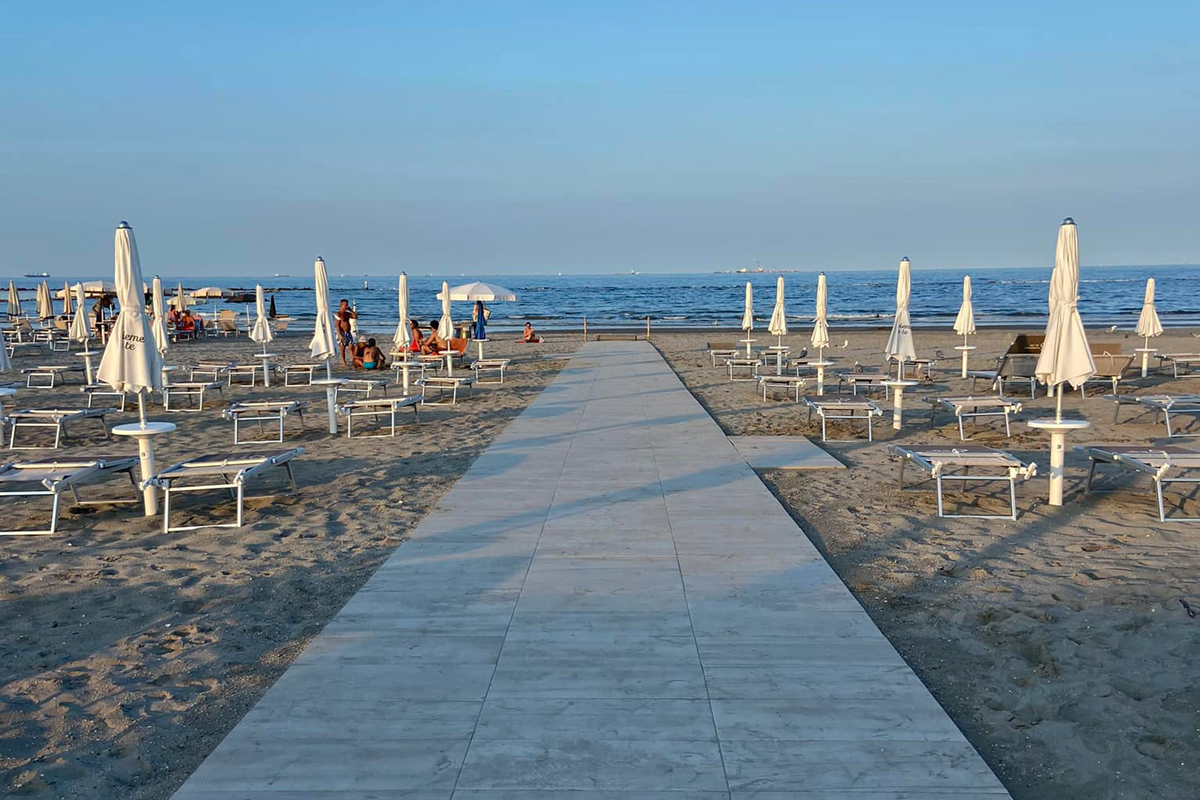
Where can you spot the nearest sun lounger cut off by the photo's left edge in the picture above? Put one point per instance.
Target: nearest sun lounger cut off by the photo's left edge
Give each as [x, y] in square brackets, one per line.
[51, 478]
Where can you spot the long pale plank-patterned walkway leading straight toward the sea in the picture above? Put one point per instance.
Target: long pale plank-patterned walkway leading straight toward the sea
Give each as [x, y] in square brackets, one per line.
[610, 604]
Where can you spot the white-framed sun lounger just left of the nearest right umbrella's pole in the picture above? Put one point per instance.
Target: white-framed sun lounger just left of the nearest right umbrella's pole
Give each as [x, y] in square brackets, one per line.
[955, 464]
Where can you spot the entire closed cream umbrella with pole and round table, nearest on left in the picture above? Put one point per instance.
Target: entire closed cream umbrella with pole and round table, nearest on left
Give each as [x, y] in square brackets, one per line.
[131, 363]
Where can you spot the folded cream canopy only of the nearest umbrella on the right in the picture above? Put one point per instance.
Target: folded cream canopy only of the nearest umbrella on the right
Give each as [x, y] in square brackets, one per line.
[1065, 357]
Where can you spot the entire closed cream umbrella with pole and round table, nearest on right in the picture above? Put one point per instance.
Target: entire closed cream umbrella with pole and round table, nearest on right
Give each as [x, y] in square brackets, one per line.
[1066, 357]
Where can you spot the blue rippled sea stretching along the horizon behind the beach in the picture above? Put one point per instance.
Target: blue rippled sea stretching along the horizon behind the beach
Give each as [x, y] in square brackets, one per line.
[1109, 296]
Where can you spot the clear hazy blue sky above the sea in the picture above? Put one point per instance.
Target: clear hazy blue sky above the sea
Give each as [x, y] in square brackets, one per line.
[580, 137]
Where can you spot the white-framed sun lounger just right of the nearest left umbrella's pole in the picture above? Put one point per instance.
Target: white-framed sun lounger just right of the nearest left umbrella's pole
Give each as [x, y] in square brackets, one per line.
[232, 470]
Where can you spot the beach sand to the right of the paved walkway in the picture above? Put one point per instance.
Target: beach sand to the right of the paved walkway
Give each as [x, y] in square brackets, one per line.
[1060, 643]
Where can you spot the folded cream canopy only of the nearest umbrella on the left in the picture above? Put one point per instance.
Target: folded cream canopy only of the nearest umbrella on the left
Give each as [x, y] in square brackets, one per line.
[130, 364]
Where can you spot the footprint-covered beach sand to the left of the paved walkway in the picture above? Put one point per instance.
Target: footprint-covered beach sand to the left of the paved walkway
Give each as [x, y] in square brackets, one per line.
[128, 654]
